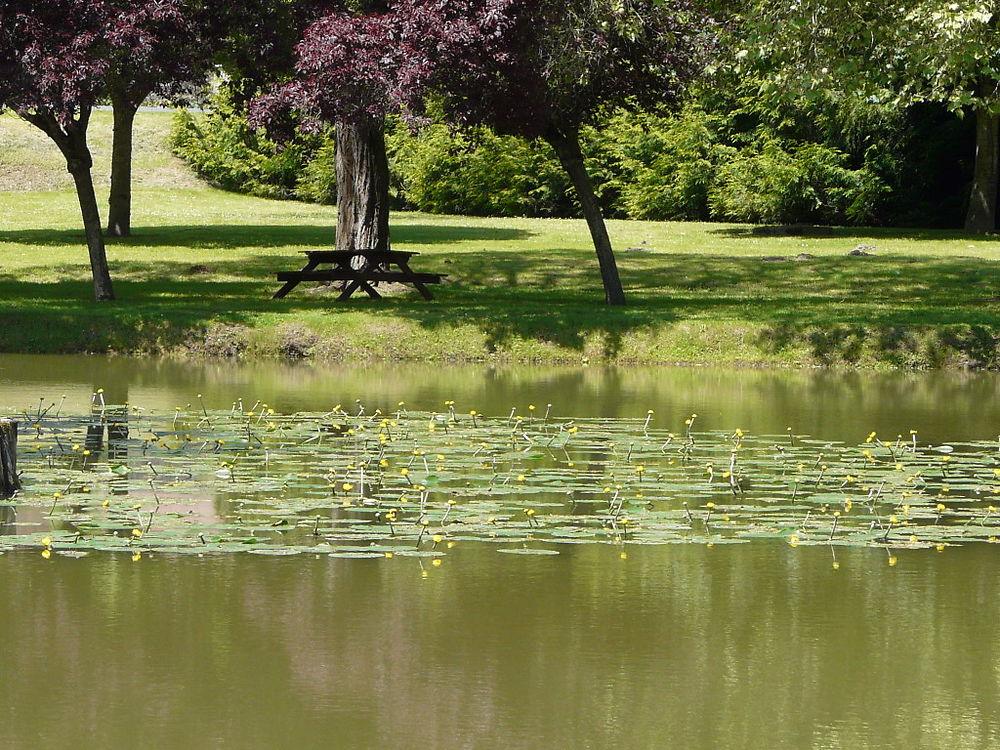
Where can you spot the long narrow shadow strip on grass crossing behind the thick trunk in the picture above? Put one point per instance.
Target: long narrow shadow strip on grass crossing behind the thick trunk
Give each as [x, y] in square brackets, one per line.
[236, 236]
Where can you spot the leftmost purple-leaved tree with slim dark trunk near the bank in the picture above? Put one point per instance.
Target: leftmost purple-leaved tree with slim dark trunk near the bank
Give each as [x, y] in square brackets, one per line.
[52, 72]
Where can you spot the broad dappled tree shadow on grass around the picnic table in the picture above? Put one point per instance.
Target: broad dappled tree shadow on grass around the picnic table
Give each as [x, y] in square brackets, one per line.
[835, 306]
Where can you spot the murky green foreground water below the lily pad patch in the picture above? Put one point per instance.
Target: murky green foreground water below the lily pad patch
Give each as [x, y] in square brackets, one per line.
[756, 646]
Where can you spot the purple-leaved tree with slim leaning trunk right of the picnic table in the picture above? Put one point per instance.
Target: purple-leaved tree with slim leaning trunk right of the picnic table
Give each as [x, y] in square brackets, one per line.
[536, 68]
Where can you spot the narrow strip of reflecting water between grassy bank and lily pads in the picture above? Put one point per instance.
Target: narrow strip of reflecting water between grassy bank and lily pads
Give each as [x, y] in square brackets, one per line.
[830, 404]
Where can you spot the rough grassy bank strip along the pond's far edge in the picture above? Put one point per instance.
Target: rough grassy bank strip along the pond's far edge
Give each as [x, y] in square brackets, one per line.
[373, 338]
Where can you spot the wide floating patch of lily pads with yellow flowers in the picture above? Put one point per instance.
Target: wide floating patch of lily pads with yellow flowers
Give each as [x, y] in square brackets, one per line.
[286, 488]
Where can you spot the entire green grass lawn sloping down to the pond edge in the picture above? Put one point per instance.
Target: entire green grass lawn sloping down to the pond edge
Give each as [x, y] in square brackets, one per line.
[199, 272]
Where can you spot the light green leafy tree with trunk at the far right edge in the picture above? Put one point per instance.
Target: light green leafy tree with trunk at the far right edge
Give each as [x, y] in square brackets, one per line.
[893, 51]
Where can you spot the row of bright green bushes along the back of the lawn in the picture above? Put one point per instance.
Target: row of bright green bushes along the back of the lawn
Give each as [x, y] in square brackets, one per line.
[730, 155]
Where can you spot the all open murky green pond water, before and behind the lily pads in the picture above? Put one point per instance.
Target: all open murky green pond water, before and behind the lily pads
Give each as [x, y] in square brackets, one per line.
[676, 646]
